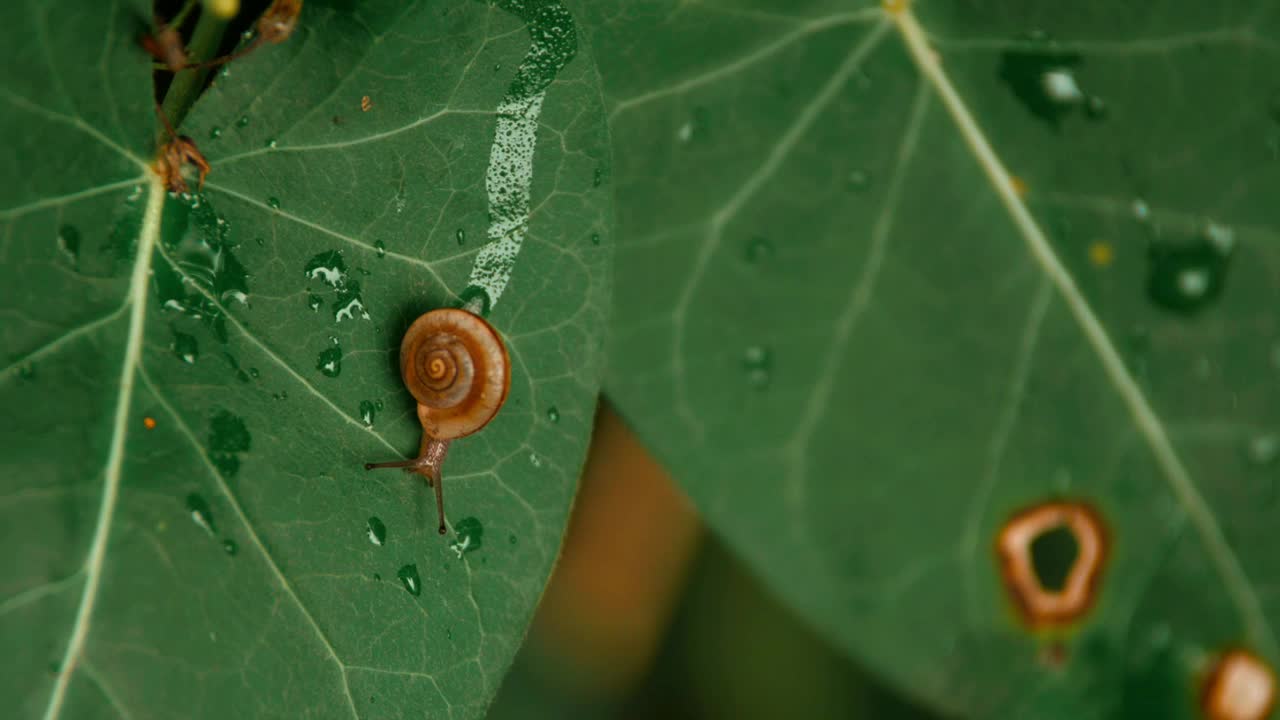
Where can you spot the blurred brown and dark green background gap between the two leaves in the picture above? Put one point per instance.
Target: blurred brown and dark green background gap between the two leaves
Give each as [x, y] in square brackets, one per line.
[648, 616]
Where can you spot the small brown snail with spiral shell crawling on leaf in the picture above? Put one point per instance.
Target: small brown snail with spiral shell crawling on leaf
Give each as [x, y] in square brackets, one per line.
[456, 367]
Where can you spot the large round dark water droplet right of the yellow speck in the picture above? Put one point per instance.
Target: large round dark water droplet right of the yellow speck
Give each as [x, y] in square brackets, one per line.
[1186, 279]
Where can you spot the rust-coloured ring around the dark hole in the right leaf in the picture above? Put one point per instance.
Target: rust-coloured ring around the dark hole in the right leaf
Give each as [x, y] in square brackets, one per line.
[1040, 607]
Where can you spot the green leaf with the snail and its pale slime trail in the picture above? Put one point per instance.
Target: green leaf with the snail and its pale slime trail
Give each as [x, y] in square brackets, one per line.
[194, 384]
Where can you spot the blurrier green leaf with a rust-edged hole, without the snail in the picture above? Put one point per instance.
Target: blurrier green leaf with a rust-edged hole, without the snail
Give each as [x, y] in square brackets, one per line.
[862, 344]
